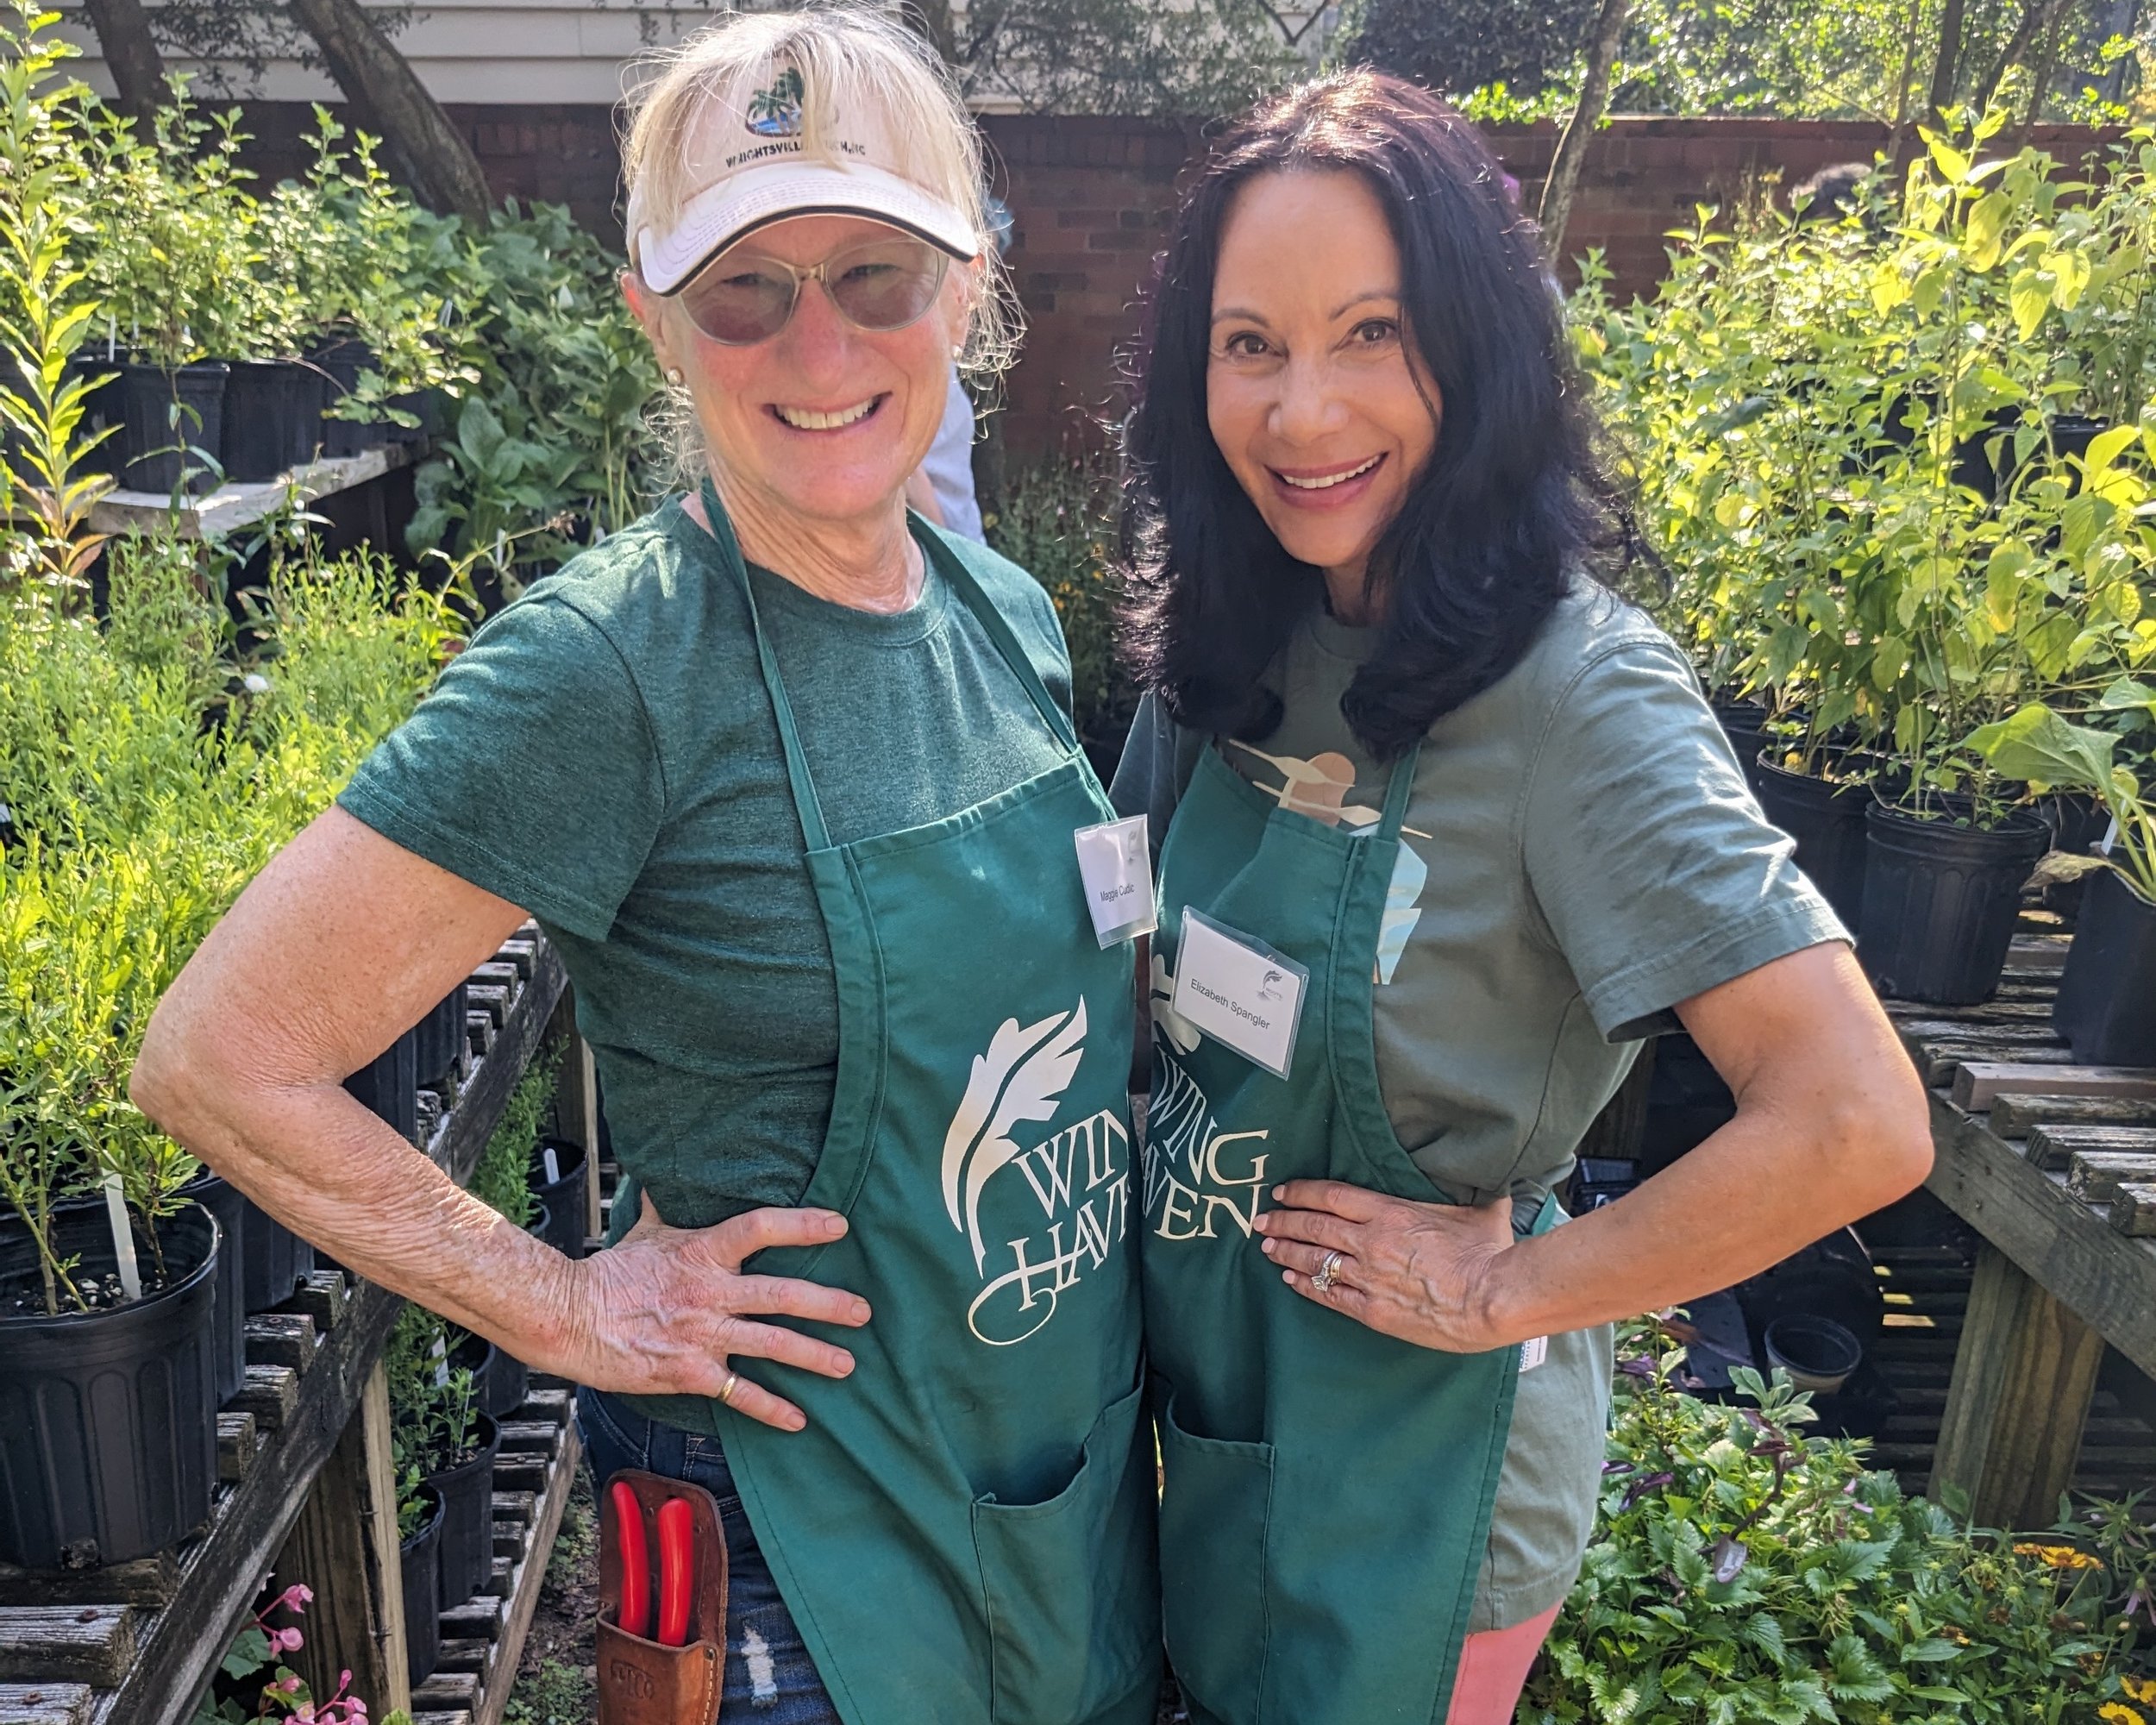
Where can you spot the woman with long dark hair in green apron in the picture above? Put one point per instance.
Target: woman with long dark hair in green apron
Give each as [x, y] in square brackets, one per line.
[1448, 831]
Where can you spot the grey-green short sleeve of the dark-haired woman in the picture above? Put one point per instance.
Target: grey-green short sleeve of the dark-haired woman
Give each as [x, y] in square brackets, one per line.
[1648, 857]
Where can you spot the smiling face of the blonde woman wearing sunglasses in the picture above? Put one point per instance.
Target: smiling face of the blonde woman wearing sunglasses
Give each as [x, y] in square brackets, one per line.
[823, 422]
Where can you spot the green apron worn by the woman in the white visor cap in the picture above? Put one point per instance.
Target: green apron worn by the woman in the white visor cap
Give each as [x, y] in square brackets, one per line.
[965, 1532]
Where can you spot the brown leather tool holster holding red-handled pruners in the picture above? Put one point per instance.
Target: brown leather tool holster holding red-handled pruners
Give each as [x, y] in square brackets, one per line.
[644, 1683]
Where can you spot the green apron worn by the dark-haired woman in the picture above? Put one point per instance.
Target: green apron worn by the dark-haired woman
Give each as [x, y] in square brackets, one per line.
[1327, 1489]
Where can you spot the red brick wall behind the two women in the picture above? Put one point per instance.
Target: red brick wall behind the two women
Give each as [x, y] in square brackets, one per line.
[1094, 197]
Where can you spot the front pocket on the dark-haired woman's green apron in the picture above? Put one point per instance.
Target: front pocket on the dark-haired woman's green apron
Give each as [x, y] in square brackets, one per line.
[1215, 1508]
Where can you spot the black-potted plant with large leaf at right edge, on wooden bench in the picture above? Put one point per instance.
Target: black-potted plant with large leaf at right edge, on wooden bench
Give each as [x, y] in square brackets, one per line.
[2107, 993]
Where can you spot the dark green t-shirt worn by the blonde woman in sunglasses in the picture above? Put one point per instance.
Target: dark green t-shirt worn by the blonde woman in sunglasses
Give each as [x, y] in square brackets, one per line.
[607, 758]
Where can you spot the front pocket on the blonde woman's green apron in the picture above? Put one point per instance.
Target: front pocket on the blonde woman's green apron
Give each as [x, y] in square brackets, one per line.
[1068, 1633]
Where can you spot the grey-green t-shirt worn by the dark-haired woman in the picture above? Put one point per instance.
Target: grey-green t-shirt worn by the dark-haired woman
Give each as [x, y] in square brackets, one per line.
[1579, 857]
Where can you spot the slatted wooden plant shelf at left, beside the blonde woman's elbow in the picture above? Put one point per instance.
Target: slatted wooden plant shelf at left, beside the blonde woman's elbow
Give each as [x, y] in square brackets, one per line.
[182, 1610]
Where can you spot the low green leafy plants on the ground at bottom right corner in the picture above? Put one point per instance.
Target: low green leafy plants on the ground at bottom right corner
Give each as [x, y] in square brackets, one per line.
[1747, 1573]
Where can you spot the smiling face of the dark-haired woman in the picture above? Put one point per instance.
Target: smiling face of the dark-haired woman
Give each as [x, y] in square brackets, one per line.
[1312, 389]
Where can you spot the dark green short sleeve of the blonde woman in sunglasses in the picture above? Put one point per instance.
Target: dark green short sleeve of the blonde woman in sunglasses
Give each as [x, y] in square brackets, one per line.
[529, 771]
